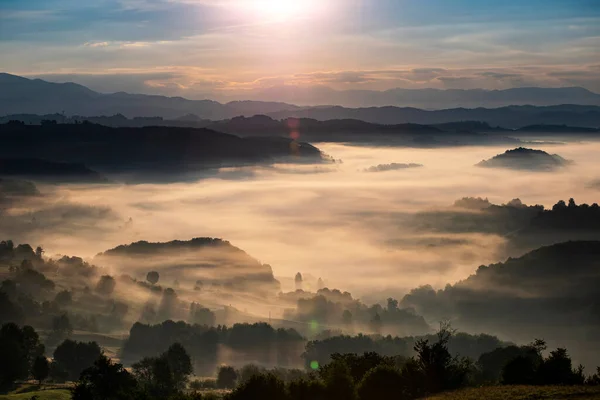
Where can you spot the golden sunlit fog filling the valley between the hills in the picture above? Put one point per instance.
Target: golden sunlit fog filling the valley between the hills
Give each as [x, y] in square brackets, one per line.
[350, 227]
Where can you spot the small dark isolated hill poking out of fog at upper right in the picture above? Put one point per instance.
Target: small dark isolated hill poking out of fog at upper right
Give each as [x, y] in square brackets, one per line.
[525, 159]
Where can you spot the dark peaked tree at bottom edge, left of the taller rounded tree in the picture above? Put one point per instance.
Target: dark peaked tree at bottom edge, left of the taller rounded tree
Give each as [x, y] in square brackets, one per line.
[105, 380]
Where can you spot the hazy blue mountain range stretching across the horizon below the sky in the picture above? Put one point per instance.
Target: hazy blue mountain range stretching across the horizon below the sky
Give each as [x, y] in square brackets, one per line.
[546, 106]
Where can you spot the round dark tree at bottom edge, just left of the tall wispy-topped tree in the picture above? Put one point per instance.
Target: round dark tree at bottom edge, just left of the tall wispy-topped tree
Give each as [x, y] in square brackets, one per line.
[381, 383]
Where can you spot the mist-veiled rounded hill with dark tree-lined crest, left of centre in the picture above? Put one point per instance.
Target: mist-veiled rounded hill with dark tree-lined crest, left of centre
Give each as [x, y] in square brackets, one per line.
[214, 262]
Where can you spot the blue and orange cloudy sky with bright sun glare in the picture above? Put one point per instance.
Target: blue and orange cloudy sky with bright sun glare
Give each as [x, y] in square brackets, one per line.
[236, 49]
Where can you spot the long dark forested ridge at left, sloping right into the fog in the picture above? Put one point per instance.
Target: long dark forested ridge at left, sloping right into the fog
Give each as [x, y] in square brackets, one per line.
[149, 150]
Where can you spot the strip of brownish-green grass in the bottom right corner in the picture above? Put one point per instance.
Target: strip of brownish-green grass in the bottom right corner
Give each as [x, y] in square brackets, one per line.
[523, 393]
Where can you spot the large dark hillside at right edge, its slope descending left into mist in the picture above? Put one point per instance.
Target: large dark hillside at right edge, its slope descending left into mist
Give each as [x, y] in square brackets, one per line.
[550, 292]
